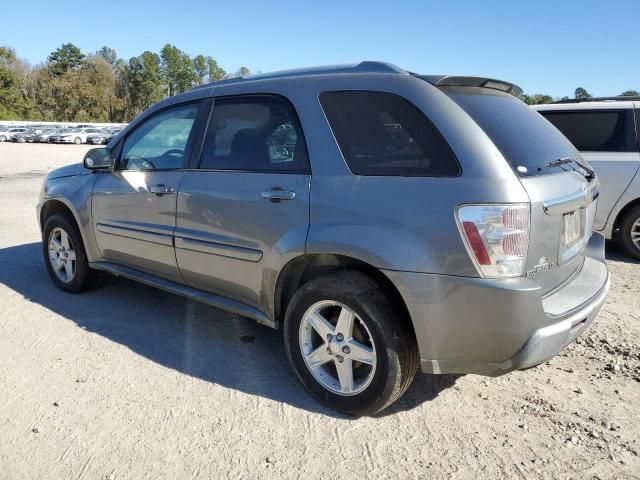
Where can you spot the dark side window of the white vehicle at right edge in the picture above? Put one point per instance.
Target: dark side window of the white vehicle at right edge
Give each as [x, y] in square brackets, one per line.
[596, 131]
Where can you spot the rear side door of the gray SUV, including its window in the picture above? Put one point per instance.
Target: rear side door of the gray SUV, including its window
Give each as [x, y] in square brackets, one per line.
[244, 211]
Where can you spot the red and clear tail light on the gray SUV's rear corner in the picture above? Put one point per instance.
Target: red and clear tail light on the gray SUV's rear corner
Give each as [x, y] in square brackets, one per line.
[496, 237]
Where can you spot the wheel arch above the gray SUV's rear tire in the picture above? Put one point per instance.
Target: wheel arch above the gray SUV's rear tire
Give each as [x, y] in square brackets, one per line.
[303, 268]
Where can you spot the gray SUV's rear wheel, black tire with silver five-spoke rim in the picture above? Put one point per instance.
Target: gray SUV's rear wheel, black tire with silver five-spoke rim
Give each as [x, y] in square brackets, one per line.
[391, 343]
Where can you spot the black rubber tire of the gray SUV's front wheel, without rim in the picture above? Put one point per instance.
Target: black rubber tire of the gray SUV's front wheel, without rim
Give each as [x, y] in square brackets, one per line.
[84, 277]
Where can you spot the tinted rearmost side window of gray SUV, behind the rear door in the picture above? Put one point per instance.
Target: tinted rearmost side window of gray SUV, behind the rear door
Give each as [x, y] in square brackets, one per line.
[383, 134]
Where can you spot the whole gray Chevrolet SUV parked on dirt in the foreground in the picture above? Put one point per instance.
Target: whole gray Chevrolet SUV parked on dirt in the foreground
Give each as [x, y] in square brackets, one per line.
[383, 220]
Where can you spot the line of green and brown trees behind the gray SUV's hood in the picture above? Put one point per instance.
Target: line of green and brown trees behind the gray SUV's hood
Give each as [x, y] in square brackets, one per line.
[98, 87]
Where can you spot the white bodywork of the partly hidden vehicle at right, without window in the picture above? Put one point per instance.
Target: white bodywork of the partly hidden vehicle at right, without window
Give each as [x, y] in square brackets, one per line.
[617, 171]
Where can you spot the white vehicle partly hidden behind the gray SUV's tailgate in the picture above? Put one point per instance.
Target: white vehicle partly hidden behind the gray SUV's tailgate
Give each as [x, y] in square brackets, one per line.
[607, 133]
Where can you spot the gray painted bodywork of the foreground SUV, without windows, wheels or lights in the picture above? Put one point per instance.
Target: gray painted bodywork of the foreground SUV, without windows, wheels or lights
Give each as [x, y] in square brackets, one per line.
[213, 237]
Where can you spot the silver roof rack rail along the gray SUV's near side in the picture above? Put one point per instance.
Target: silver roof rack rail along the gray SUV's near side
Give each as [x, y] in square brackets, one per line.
[367, 66]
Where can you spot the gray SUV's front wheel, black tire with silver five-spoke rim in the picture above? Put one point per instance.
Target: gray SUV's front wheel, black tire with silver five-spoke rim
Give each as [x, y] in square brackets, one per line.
[83, 277]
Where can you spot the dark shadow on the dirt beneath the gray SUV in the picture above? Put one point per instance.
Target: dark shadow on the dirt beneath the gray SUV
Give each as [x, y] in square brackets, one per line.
[180, 334]
